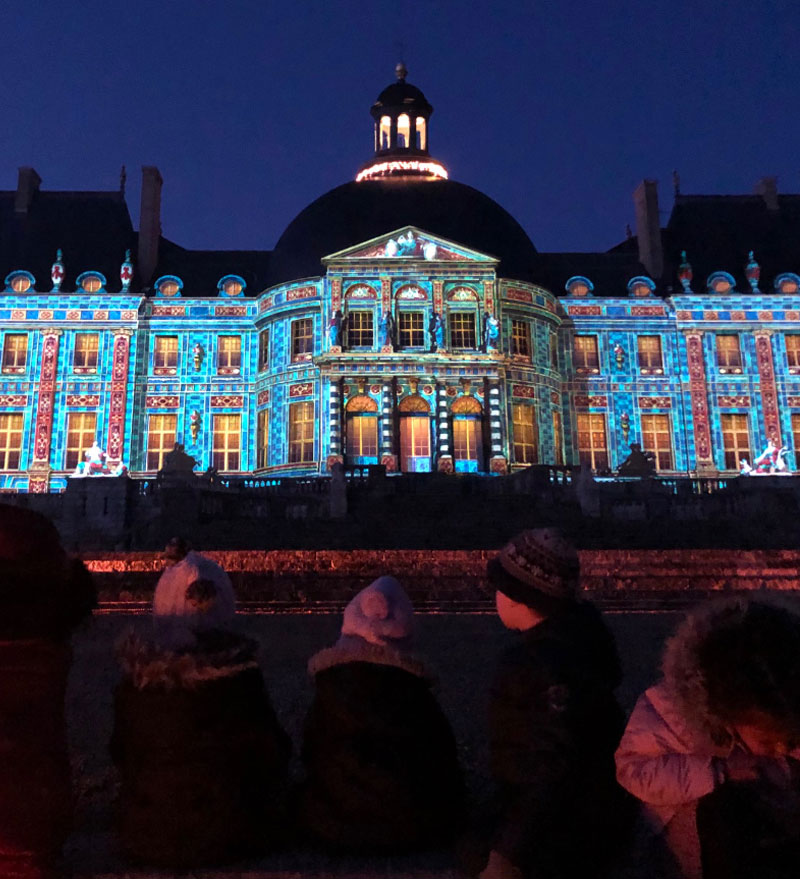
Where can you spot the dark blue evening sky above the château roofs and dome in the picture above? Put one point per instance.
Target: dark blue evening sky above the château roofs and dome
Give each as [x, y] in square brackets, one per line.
[252, 109]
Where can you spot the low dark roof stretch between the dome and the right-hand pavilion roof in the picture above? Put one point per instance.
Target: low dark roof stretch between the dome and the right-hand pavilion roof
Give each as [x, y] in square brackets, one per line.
[609, 272]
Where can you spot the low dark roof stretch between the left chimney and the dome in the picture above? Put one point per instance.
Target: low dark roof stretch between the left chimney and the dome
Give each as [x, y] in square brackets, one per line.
[200, 270]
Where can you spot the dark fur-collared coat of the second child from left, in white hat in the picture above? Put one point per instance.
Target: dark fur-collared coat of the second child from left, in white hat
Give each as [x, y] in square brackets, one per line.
[202, 757]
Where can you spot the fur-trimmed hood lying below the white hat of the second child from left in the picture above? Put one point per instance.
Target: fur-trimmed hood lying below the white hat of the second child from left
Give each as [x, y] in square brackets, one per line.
[214, 655]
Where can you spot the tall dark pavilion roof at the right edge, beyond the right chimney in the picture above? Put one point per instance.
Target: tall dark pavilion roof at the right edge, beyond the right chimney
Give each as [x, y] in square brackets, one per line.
[717, 231]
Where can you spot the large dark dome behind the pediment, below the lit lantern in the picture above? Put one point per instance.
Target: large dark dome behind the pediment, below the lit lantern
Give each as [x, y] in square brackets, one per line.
[356, 212]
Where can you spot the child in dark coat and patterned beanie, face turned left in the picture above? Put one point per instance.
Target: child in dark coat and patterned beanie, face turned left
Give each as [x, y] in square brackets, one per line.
[553, 719]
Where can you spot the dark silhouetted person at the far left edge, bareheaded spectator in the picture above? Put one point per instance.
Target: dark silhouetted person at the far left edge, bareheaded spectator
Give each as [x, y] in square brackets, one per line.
[43, 596]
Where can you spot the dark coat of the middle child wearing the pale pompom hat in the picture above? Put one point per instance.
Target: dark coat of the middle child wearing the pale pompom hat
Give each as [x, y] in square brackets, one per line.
[380, 757]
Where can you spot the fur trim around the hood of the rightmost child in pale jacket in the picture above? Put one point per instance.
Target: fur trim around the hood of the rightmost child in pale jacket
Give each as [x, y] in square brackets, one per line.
[684, 677]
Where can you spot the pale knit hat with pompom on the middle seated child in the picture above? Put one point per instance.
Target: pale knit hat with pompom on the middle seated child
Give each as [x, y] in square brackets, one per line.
[380, 614]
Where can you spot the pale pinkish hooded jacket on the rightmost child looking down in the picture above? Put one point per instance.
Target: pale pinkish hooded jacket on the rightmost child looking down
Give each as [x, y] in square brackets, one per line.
[673, 750]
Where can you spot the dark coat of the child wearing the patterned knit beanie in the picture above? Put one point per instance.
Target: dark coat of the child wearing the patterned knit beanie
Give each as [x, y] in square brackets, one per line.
[554, 725]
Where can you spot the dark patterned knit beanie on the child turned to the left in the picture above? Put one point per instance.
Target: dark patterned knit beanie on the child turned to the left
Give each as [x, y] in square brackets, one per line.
[538, 562]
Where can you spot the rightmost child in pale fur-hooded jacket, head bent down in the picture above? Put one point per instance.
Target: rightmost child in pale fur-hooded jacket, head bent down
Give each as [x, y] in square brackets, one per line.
[712, 750]
